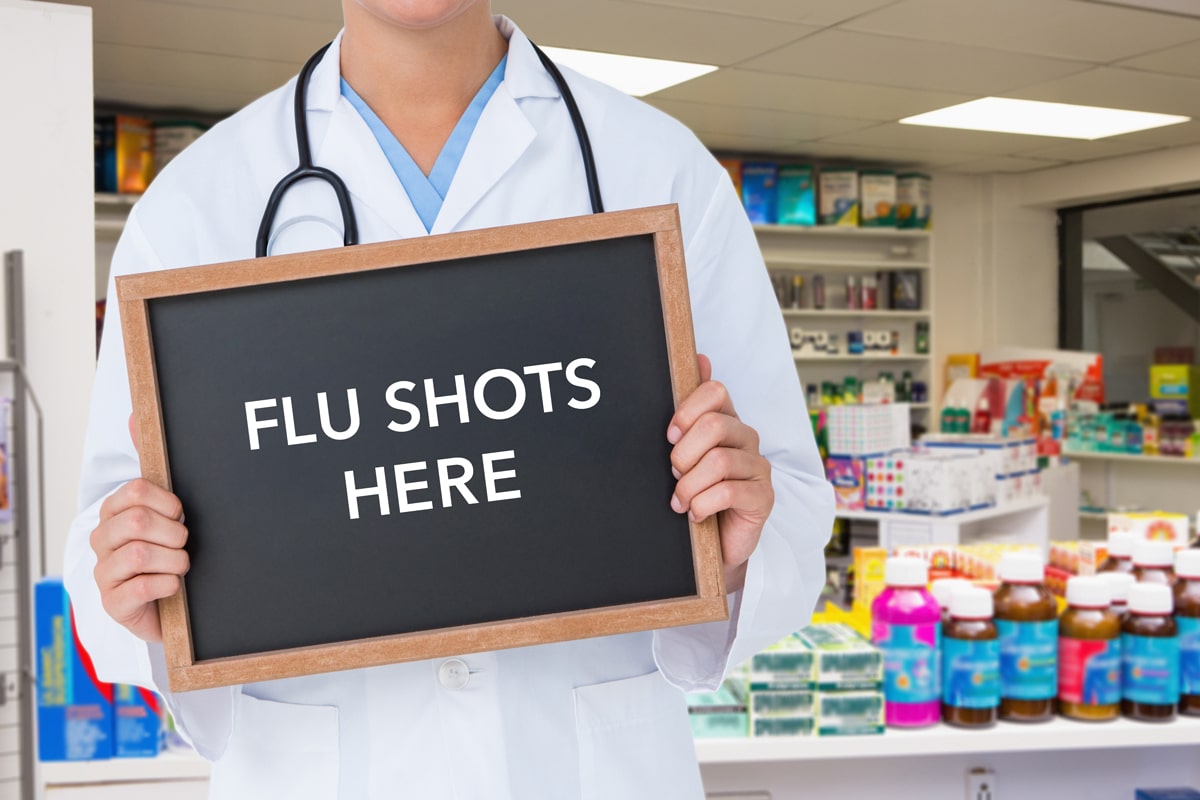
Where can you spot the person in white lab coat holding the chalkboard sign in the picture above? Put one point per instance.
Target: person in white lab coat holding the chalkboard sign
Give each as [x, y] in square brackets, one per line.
[441, 118]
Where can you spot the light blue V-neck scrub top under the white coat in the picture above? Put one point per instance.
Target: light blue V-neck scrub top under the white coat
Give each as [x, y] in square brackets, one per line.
[428, 194]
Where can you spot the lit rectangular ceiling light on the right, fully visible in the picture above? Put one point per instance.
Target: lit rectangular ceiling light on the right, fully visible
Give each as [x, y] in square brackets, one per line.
[1034, 118]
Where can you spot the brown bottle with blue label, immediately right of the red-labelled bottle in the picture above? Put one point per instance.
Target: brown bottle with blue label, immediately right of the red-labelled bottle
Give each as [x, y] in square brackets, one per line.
[1150, 655]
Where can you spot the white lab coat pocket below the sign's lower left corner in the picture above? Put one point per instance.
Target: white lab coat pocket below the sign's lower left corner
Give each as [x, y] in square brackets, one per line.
[279, 750]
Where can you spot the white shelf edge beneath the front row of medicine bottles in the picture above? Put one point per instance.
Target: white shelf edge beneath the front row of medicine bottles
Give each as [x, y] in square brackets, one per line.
[943, 741]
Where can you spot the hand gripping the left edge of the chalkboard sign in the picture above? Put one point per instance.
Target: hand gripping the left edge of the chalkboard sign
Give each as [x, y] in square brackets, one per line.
[140, 555]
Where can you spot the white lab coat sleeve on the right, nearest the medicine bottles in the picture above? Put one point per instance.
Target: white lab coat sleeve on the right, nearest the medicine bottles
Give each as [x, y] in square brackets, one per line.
[740, 327]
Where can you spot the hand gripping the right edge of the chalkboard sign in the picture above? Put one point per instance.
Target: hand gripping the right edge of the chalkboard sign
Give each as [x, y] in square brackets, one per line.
[719, 471]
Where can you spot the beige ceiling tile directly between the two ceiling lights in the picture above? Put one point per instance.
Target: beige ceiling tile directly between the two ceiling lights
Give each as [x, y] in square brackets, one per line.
[748, 89]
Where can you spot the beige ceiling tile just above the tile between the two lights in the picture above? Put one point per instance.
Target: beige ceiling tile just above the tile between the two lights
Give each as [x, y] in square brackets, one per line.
[886, 61]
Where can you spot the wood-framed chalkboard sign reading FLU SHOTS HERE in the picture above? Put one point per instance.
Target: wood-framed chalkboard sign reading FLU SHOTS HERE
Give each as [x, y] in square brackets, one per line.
[423, 448]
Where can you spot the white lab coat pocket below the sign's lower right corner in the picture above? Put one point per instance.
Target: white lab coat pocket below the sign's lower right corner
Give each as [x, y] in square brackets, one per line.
[635, 742]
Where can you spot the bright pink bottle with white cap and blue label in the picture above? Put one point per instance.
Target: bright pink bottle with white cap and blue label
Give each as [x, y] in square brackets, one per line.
[907, 627]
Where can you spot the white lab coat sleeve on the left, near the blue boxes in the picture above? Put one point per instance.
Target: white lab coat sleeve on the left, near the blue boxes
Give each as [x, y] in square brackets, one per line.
[111, 461]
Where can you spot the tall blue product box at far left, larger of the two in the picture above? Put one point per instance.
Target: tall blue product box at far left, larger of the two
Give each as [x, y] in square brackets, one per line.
[75, 708]
